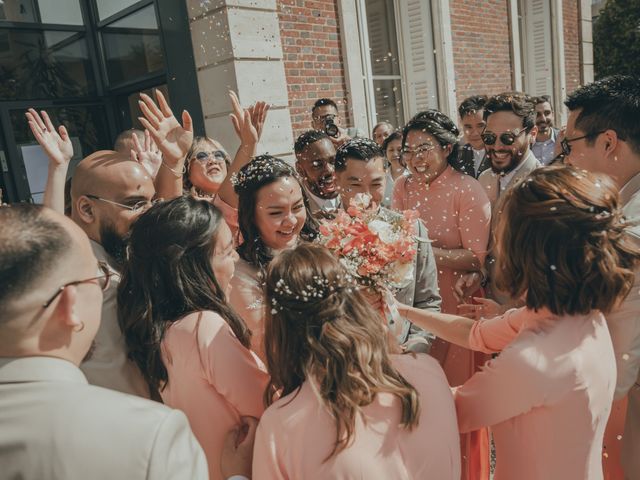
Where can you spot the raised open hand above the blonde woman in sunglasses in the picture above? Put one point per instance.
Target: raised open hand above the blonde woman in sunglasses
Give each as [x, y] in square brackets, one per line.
[172, 138]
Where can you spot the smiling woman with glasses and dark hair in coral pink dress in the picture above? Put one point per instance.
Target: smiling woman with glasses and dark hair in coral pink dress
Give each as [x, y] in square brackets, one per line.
[457, 213]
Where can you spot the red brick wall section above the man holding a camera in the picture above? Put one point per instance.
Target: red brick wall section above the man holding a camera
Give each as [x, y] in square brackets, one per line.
[312, 57]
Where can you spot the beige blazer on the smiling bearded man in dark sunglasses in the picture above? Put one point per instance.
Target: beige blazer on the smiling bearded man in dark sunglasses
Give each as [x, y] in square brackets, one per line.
[491, 184]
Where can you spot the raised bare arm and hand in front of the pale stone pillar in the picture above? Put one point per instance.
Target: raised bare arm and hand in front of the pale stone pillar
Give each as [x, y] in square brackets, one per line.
[248, 124]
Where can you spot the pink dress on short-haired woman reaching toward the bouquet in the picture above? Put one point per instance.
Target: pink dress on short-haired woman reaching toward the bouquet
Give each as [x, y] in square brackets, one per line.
[547, 397]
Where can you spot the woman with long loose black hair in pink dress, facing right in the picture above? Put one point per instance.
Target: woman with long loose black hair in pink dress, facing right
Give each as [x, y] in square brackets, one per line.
[192, 349]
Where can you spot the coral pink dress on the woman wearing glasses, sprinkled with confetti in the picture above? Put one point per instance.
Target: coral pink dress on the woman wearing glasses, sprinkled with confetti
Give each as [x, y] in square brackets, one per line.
[457, 212]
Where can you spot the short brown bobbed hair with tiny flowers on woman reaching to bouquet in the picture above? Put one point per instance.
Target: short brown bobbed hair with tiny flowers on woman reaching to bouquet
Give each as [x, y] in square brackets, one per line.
[562, 243]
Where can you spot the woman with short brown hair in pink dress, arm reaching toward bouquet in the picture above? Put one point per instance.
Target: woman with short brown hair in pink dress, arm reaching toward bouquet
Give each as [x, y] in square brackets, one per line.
[548, 395]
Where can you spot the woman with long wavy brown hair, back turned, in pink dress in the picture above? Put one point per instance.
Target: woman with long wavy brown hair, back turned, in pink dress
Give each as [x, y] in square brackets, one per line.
[348, 409]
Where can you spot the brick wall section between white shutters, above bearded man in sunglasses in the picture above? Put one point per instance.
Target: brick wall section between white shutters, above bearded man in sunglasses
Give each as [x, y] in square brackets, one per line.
[481, 47]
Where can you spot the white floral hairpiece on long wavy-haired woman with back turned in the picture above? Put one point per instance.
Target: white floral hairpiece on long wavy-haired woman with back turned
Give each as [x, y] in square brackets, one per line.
[320, 289]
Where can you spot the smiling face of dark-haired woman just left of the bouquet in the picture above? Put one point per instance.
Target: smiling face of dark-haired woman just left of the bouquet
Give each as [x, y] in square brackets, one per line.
[280, 213]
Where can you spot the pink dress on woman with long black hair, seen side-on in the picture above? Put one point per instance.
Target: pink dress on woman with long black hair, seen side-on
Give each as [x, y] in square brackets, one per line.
[213, 379]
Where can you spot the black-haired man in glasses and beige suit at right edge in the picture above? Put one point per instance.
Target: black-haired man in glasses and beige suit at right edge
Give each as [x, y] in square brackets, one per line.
[603, 136]
